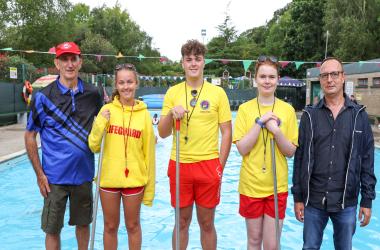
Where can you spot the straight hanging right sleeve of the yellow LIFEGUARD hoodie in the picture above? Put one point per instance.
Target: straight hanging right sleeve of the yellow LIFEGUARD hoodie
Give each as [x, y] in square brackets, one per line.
[149, 148]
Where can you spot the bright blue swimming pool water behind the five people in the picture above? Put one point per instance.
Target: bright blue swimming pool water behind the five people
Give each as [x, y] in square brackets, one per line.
[21, 205]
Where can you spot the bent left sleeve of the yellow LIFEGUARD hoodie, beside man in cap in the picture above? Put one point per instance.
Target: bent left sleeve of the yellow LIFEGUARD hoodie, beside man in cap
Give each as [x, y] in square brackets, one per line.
[95, 137]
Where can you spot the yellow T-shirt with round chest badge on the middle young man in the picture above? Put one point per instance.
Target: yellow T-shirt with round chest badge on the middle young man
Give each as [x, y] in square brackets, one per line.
[202, 131]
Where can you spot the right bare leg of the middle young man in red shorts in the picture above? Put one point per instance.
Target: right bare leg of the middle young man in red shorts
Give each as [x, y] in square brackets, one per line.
[206, 223]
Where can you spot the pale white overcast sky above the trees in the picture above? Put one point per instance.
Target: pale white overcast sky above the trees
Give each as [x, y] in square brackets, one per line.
[172, 22]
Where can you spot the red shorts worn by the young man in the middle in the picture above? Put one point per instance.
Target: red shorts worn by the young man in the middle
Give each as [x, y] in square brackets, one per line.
[199, 182]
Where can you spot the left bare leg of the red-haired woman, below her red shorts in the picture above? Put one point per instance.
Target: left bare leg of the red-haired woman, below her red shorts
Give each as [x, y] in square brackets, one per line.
[254, 233]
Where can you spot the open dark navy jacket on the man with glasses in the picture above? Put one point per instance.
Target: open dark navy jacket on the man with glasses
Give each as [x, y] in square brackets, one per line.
[360, 171]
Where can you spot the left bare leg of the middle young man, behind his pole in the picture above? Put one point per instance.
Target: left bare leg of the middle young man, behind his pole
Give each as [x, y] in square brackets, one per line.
[185, 215]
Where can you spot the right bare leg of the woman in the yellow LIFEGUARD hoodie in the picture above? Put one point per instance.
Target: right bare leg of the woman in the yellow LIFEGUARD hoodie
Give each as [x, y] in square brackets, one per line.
[132, 206]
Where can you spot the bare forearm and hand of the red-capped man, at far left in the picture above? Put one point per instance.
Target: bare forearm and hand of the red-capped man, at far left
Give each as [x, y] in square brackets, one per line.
[32, 150]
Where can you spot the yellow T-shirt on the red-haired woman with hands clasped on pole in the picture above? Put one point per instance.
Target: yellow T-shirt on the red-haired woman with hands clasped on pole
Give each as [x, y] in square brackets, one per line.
[253, 181]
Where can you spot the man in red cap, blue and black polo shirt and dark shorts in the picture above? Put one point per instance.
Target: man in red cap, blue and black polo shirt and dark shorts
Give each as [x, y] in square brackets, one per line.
[62, 113]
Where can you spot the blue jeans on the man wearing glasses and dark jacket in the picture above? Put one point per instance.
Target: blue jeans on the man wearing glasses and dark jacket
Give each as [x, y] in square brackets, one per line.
[315, 221]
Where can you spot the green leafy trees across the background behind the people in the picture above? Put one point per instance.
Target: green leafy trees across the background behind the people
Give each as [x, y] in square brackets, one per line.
[296, 32]
